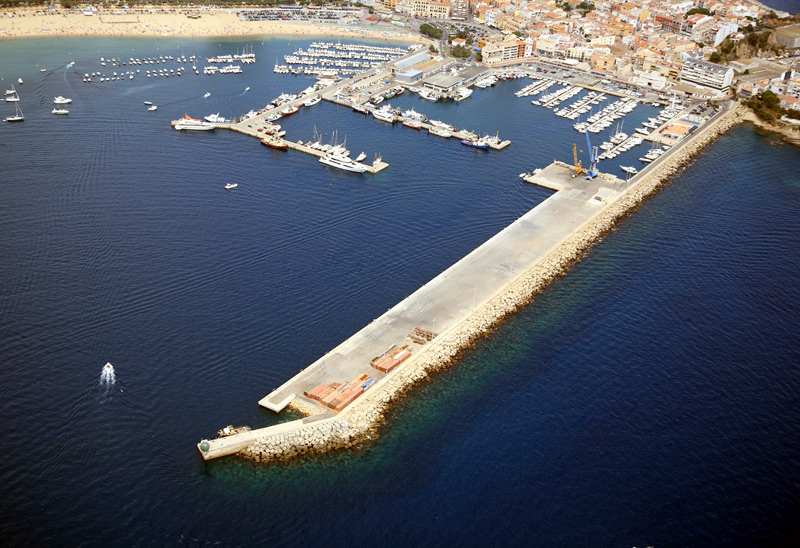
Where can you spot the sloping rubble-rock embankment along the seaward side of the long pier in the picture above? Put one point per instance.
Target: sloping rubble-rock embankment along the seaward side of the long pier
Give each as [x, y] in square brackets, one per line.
[362, 419]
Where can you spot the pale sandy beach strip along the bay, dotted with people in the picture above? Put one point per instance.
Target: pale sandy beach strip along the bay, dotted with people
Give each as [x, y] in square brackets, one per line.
[174, 24]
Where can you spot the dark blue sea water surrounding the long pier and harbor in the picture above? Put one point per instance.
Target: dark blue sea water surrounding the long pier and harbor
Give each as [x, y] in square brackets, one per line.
[649, 398]
